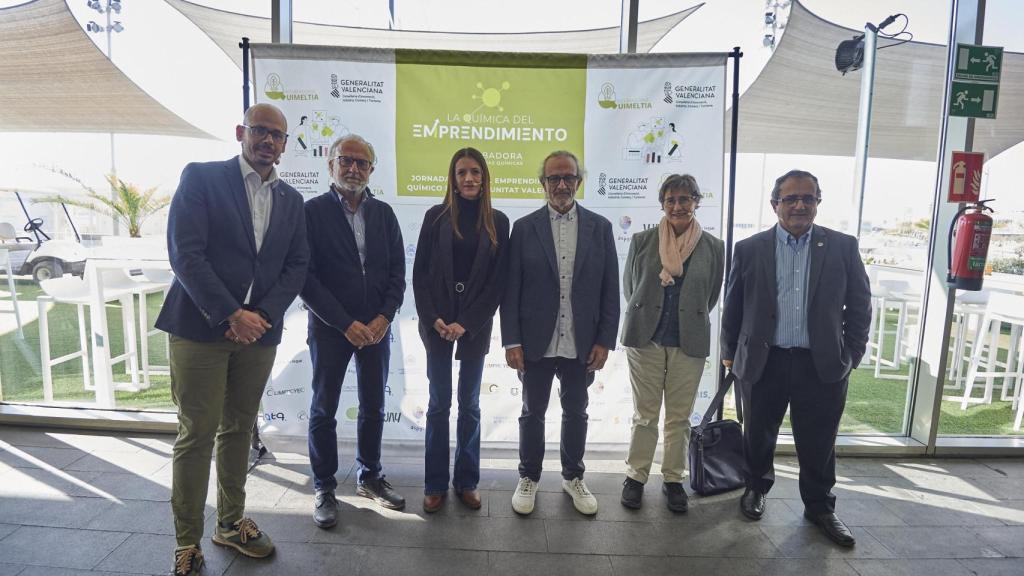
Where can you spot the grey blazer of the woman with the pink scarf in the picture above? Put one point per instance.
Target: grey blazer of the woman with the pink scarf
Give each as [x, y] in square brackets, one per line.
[698, 296]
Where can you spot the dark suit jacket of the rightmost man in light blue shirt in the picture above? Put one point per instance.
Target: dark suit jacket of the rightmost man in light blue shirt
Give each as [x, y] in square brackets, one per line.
[839, 309]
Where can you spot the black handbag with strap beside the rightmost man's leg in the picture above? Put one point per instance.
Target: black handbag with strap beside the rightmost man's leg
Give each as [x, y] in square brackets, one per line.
[717, 449]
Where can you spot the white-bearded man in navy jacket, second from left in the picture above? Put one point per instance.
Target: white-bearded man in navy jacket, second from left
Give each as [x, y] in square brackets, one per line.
[356, 284]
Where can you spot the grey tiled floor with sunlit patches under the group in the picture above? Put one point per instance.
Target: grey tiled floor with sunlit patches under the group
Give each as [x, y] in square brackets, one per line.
[89, 504]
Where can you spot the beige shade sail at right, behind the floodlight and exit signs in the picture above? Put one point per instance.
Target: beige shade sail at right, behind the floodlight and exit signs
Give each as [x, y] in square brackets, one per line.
[801, 105]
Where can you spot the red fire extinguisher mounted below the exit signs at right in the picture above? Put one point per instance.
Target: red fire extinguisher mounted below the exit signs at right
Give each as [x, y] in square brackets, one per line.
[972, 229]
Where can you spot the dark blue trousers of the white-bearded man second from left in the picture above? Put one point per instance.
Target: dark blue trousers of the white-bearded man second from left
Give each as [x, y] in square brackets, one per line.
[330, 357]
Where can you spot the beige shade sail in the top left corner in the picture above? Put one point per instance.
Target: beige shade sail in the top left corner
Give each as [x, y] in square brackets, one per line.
[56, 80]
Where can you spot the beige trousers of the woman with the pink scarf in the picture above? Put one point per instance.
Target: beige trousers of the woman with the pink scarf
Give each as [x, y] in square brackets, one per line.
[656, 373]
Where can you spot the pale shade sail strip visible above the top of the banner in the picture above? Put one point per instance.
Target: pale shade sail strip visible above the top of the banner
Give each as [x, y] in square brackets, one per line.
[227, 30]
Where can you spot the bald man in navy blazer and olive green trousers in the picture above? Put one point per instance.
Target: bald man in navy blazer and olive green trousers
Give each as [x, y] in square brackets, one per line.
[236, 236]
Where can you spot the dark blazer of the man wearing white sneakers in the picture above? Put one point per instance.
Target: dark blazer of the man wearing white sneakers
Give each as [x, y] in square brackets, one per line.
[530, 307]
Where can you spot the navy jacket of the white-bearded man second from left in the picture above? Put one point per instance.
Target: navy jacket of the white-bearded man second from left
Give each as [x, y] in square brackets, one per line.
[339, 290]
